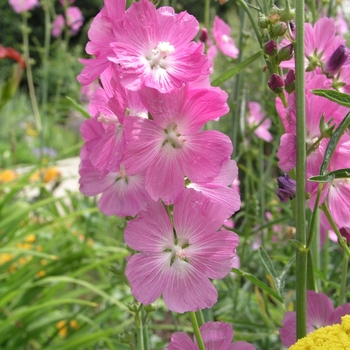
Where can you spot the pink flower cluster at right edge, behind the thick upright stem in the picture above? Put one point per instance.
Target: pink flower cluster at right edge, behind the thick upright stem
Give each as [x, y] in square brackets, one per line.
[327, 67]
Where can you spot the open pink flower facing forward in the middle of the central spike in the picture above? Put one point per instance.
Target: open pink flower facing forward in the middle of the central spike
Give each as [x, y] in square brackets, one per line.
[172, 145]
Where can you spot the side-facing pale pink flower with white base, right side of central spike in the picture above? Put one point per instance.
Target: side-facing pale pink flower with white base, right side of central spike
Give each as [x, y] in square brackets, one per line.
[218, 189]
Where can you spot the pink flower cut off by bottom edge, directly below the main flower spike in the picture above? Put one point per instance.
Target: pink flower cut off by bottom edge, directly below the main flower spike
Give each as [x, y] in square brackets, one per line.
[215, 335]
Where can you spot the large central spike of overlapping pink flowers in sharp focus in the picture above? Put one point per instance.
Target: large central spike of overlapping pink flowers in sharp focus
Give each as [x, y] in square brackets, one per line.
[148, 157]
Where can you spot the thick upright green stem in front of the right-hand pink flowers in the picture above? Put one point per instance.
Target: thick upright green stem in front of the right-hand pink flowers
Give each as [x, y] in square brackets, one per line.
[301, 256]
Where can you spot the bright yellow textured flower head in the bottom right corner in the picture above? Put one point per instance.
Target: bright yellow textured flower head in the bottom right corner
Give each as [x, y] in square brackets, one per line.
[335, 337]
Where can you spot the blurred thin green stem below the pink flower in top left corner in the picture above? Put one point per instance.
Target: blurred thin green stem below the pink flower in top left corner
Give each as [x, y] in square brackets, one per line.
[33, 100]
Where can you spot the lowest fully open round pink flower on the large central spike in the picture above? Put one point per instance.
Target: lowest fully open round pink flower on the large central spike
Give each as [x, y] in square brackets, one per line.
[178, 262]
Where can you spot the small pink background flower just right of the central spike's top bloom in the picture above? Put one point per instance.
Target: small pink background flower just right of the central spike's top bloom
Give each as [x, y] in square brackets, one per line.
[225, 43]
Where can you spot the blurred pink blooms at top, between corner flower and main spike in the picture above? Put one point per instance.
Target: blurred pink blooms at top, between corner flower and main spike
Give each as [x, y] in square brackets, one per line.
[73, 19]
